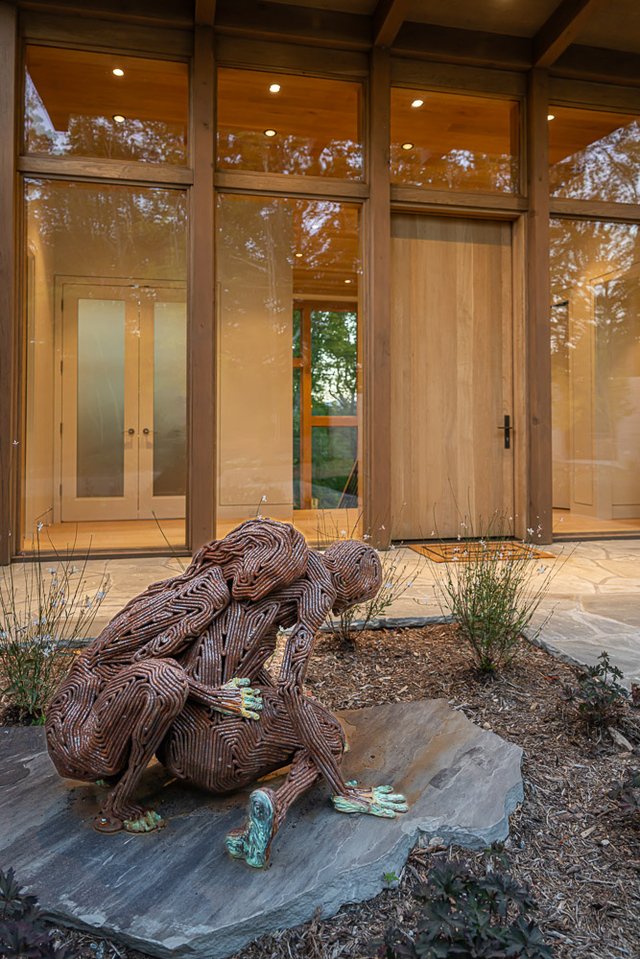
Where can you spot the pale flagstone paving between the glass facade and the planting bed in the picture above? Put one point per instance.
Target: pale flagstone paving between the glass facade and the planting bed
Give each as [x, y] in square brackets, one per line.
[594, 597]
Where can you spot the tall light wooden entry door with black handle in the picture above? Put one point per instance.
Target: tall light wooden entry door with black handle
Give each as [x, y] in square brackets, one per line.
[452, 374]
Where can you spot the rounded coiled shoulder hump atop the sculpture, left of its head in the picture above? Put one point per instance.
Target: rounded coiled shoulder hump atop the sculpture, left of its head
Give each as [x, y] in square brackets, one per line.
[260, 556]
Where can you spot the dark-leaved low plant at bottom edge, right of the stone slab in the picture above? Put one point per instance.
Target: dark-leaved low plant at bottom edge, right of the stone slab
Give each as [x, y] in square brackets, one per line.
[464, 916]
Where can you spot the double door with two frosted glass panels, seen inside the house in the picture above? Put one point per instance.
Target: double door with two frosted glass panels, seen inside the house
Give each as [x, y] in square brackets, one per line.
[123, 403]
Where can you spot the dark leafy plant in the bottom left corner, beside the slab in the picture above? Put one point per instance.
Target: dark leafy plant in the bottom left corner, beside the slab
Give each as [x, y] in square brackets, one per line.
[23, 932]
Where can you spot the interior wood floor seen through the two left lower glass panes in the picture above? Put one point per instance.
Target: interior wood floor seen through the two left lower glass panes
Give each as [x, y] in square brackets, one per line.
[319, 527]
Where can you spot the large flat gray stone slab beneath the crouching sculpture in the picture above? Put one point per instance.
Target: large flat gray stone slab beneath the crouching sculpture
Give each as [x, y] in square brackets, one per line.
[175, 893]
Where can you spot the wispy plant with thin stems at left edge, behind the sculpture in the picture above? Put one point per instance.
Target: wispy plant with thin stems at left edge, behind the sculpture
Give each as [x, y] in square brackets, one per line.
[46, 609]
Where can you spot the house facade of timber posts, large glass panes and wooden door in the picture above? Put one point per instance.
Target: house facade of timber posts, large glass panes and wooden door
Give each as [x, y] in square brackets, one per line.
[368, 266]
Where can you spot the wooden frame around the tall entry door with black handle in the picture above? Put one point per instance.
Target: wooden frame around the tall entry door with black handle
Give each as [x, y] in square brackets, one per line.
[520, 370]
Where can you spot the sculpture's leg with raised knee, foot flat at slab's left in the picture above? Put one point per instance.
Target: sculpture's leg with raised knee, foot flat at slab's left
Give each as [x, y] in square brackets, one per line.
[130, 719]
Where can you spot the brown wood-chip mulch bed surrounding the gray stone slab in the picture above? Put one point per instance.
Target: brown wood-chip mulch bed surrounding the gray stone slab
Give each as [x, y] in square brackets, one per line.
[569, 840]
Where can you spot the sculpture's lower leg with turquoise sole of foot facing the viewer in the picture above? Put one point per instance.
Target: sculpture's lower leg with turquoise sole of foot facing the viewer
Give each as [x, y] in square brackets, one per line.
[267, 811]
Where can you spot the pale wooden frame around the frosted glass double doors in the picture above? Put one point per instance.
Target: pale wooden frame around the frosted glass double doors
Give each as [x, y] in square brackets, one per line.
[60, 281]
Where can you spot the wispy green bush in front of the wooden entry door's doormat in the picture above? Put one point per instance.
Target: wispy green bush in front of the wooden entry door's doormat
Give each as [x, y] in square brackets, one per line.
[491, 592]
